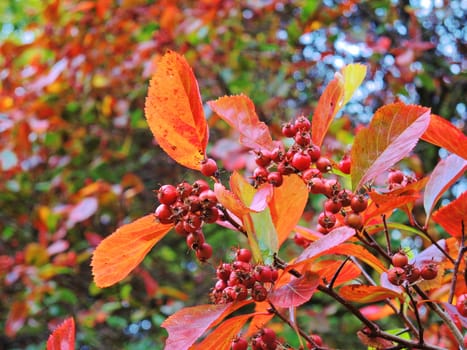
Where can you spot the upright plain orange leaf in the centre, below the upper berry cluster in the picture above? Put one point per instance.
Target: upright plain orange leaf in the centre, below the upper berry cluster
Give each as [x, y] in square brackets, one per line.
[287, 205]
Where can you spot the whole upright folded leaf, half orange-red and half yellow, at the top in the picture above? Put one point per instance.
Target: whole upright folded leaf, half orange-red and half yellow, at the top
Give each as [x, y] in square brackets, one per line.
[337, 93]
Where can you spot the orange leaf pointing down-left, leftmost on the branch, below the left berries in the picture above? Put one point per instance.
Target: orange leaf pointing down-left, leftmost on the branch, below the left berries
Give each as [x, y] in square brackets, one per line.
[118, 254]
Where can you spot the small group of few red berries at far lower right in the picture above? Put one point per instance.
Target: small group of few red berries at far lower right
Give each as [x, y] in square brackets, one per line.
[403, 271]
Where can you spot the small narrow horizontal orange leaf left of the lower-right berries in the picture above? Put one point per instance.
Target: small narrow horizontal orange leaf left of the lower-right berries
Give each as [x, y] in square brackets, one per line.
[367, 294]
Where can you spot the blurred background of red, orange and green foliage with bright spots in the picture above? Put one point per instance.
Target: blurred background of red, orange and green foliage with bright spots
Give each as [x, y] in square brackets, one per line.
[77, 159]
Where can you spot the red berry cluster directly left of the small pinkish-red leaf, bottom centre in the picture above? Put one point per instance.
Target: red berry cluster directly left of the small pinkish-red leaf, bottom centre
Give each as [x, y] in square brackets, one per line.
[240, 279]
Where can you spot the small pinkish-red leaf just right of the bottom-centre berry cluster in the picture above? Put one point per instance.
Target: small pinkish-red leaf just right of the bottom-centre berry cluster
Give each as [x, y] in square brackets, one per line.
[296, 292]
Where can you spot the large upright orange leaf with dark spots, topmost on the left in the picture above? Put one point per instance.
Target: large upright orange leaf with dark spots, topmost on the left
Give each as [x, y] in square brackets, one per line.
[174, 111]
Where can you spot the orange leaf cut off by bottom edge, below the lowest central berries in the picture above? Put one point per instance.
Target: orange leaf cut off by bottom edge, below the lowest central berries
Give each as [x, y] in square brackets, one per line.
[221, 338]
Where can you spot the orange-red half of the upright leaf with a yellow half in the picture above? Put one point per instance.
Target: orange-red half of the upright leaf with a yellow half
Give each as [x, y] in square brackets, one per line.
[329, 104]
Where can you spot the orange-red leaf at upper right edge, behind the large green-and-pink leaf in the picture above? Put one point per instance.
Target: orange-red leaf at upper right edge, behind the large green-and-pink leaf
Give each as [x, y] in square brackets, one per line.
[444, 134]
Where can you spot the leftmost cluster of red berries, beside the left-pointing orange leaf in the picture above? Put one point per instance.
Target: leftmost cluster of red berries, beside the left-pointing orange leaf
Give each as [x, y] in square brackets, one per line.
[189, 206]
